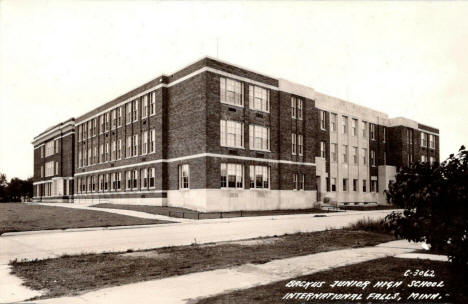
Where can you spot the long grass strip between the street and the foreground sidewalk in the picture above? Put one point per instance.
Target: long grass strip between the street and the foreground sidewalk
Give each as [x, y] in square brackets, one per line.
[74, 274]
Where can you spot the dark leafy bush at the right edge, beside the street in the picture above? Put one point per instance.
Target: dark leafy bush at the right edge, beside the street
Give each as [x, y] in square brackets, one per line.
[435, 200]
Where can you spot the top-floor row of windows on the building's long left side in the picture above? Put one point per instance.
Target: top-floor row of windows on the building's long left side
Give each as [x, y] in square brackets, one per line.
[113, 119]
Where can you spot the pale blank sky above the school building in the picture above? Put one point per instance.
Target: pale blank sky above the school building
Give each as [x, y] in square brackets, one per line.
[61, 59]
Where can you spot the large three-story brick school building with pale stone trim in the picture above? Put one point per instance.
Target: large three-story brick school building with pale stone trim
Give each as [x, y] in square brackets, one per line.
[186, 121]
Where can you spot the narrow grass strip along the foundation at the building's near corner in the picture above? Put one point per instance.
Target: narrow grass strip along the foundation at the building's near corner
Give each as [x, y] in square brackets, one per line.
[186, 213]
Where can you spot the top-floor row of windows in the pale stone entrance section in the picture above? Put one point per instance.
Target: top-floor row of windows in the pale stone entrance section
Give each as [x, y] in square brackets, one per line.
[354, 126]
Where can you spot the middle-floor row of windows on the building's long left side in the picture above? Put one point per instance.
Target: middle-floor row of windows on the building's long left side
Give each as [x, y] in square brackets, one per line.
[113, 151]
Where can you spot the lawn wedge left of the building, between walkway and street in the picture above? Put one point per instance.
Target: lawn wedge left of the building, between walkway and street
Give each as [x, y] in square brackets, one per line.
[24, 217]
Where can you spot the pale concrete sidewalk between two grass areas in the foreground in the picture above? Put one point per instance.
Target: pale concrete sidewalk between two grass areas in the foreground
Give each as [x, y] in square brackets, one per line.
[182, 289]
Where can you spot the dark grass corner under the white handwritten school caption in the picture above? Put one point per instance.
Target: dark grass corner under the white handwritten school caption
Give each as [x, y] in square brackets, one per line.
[386, 269]
